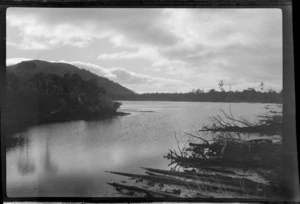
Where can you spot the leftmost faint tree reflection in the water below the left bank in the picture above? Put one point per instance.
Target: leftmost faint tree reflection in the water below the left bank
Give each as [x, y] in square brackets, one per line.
[25, 165]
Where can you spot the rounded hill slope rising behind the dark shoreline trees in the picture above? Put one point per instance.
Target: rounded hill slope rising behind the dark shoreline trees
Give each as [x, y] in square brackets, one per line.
[27, 69]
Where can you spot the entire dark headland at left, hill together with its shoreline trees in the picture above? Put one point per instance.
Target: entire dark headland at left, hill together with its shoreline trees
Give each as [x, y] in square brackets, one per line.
[39, 92]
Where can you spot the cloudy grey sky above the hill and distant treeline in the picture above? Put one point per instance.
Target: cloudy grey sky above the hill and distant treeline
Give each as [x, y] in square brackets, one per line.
[155, 50]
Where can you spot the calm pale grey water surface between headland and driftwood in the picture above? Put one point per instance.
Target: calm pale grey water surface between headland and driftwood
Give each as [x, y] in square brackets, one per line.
[70, 159]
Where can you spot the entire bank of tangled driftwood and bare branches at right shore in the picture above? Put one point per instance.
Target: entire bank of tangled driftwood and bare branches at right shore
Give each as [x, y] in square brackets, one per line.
[232, 164]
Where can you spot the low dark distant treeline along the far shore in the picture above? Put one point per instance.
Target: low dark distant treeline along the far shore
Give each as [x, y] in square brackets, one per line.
[249, 95]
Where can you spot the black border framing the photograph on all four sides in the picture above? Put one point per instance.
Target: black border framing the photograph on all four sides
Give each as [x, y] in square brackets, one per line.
[290, 175]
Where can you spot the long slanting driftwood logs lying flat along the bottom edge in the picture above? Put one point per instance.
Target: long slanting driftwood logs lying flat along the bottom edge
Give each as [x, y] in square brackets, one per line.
[187, 181]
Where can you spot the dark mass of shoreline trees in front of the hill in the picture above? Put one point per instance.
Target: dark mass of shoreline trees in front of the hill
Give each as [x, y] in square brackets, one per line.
[53, 98]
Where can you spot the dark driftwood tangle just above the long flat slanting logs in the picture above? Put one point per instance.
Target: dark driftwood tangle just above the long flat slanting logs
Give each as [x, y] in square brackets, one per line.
[227, 152]
